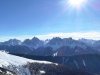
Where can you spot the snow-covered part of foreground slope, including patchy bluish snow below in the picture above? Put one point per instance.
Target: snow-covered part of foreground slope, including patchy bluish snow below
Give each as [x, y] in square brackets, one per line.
[17, 65]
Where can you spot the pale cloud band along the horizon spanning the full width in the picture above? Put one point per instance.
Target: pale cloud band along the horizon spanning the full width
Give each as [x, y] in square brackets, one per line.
[74, 35]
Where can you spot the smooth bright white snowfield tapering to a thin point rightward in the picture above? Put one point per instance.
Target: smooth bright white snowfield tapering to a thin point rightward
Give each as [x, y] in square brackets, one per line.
[7, 59]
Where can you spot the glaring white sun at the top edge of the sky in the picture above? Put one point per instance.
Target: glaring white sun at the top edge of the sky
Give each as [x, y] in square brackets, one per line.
[76, 3]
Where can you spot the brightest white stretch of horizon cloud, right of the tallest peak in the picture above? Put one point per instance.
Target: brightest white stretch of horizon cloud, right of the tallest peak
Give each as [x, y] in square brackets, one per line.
[74, 35]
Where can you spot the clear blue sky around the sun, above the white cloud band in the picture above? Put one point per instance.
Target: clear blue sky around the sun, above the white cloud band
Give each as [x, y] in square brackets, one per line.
[37, 17]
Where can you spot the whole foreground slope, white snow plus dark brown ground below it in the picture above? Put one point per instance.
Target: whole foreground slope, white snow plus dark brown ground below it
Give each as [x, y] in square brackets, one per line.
[15, 65]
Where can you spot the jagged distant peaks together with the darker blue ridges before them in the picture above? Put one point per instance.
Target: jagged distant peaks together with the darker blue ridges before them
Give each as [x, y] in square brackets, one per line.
[62, 47]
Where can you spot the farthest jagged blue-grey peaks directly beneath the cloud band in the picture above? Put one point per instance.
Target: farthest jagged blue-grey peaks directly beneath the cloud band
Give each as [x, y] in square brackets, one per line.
[55, 42]
